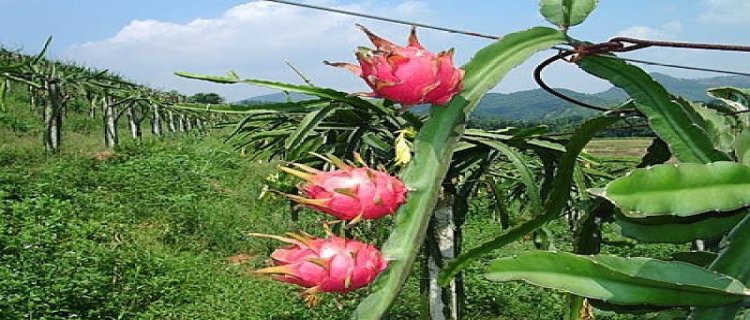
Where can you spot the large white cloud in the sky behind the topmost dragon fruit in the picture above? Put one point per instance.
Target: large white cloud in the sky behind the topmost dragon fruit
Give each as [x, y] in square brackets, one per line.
[253, 38]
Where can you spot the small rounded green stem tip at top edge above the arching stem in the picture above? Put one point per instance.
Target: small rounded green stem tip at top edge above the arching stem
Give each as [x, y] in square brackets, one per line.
[566, 13]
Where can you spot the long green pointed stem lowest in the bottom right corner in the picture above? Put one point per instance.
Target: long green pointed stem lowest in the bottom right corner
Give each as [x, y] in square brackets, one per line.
[627, 281]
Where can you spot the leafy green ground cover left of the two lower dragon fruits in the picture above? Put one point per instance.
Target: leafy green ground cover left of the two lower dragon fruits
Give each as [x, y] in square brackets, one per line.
[145, 234]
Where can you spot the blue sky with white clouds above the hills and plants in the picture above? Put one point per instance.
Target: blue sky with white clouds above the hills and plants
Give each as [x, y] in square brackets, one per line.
[147, 40]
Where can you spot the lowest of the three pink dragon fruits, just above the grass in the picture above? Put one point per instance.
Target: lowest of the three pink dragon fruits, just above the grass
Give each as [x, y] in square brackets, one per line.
[324, 265]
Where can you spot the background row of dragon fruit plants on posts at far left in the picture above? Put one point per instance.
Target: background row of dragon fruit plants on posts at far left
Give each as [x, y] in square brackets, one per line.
[52, 84]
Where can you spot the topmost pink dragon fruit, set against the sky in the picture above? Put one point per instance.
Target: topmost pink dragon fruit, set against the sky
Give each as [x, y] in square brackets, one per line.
[408, 75]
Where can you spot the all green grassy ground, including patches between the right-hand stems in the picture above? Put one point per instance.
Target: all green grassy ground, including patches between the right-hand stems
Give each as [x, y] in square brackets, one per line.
[158, 230]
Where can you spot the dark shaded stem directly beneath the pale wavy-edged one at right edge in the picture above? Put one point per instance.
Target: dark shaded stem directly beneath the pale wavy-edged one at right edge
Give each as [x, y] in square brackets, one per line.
[708, 228]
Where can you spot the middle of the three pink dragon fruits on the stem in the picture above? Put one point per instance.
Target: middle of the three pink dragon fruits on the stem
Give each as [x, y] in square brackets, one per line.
[350, 193]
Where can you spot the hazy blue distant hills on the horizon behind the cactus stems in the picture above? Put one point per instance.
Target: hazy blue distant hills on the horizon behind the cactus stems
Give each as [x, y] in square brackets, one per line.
[537, 104]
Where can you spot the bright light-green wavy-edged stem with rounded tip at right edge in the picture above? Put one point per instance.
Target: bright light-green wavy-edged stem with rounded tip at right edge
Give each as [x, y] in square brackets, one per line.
[681, 190]
